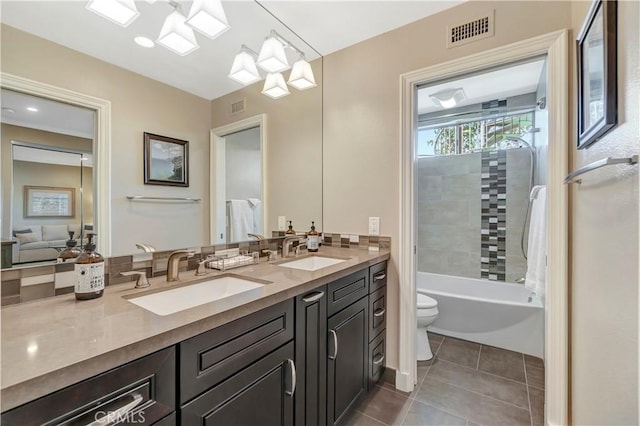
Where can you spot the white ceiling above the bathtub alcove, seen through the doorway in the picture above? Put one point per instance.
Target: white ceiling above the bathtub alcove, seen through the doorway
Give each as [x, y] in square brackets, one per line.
[501, 83]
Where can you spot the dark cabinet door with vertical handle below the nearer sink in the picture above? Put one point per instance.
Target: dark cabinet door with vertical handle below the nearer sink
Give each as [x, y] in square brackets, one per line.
[261, 394]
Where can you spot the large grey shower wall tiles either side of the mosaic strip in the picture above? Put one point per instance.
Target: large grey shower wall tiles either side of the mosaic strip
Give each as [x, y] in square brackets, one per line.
[449, 212]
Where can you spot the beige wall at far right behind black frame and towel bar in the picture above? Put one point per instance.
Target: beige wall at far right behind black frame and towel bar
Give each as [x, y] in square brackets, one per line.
[604, 261]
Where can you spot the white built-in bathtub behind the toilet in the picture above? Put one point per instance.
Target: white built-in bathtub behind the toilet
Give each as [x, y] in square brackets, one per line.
[488, 312]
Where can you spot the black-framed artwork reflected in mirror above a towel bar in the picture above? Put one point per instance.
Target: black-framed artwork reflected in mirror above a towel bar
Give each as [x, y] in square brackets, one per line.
[166, 161]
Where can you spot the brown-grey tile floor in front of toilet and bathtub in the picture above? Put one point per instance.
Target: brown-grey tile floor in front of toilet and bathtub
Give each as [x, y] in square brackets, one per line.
[464, 384]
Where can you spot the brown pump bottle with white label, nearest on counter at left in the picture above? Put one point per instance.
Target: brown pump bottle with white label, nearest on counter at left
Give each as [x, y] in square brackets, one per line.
[89, 269]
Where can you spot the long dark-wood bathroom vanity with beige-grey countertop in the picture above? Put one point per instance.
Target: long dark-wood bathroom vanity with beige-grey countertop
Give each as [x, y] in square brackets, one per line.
[303, 352]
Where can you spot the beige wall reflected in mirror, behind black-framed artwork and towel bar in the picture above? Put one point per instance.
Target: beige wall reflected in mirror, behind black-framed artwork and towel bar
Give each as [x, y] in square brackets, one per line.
[138, 105]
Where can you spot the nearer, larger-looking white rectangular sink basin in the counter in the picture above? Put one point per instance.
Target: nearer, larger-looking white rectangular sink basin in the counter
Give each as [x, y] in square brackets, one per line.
[223, 292]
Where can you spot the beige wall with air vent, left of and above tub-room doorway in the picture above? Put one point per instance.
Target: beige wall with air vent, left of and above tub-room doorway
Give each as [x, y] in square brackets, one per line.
[361, 104]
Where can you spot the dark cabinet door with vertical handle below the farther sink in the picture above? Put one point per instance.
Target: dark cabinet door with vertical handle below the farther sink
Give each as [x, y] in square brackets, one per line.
[347, 348]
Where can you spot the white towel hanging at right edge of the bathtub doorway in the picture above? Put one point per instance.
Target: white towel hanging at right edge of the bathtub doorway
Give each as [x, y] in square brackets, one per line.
[535, 279]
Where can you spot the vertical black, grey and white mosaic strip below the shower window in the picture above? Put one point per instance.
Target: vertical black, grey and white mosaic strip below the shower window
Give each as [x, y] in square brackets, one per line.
[493, 216]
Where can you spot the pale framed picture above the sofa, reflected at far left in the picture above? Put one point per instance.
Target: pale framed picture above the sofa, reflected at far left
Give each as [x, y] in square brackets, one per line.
[48, 201]
